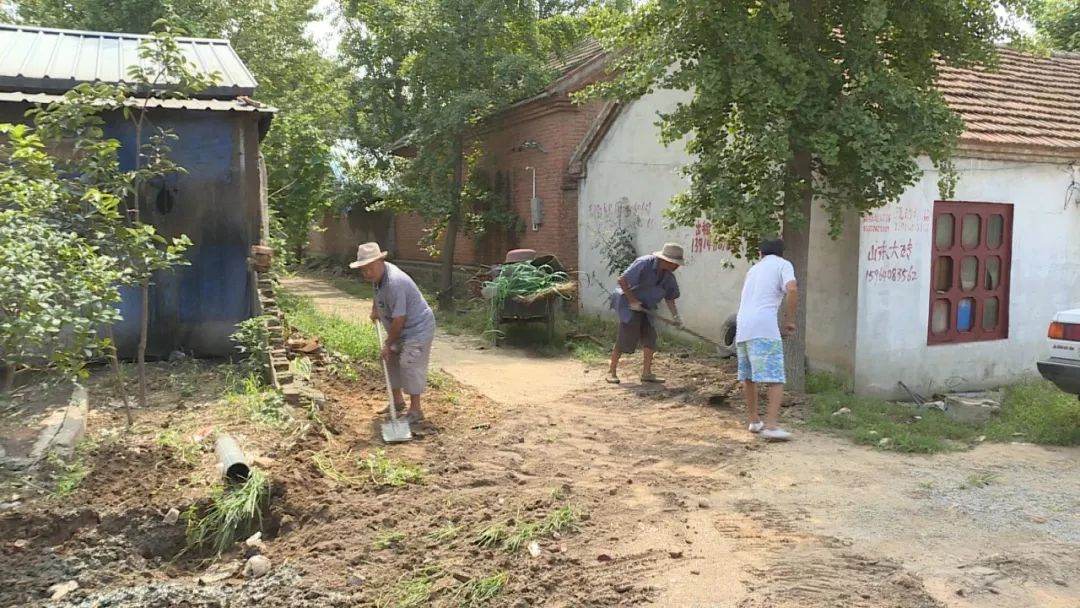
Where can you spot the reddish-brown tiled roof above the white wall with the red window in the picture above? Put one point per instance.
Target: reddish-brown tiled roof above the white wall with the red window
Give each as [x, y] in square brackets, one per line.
[1032, 103]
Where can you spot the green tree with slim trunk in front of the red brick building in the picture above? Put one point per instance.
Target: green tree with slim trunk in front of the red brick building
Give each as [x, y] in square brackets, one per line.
[443, 65]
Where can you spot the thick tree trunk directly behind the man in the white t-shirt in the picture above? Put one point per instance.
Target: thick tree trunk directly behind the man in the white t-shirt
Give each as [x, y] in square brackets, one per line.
[799, 207]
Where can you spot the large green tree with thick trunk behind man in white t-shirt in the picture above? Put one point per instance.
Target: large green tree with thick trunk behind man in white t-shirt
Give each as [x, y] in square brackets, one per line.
[798, 102]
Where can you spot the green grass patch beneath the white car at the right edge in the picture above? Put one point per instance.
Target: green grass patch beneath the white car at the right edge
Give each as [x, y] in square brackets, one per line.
[1038, 413]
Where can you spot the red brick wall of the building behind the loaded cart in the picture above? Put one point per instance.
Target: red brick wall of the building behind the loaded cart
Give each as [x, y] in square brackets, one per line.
[560, 128]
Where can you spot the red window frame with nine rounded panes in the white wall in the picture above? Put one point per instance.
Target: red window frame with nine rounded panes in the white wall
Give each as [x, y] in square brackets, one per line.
[979, 294]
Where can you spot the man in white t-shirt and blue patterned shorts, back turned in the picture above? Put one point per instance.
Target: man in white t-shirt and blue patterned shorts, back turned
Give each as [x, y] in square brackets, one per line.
[760, 339]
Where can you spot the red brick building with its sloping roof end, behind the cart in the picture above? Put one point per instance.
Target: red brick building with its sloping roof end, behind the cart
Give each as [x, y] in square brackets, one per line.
[547, 137]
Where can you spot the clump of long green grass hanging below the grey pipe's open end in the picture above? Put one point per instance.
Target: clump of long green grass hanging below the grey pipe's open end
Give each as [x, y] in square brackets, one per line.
[235, 514]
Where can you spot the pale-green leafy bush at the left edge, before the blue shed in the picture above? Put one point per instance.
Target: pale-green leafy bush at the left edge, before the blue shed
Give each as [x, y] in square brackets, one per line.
[57, 286]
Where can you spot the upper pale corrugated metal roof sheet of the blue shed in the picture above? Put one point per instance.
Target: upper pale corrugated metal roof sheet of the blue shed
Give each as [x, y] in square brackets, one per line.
[53, 61]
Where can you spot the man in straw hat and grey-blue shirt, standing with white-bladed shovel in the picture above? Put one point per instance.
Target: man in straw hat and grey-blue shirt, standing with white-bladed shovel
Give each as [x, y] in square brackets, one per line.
[410, 325]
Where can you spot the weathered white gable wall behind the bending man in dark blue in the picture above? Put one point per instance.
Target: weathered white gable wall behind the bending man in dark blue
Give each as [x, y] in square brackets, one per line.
[631, 178]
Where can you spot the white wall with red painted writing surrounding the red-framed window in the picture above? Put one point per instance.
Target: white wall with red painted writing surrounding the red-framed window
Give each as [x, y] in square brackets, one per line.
[894, 314]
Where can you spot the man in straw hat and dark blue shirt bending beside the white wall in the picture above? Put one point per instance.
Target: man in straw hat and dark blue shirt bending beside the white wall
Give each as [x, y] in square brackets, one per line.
[650, 280]
